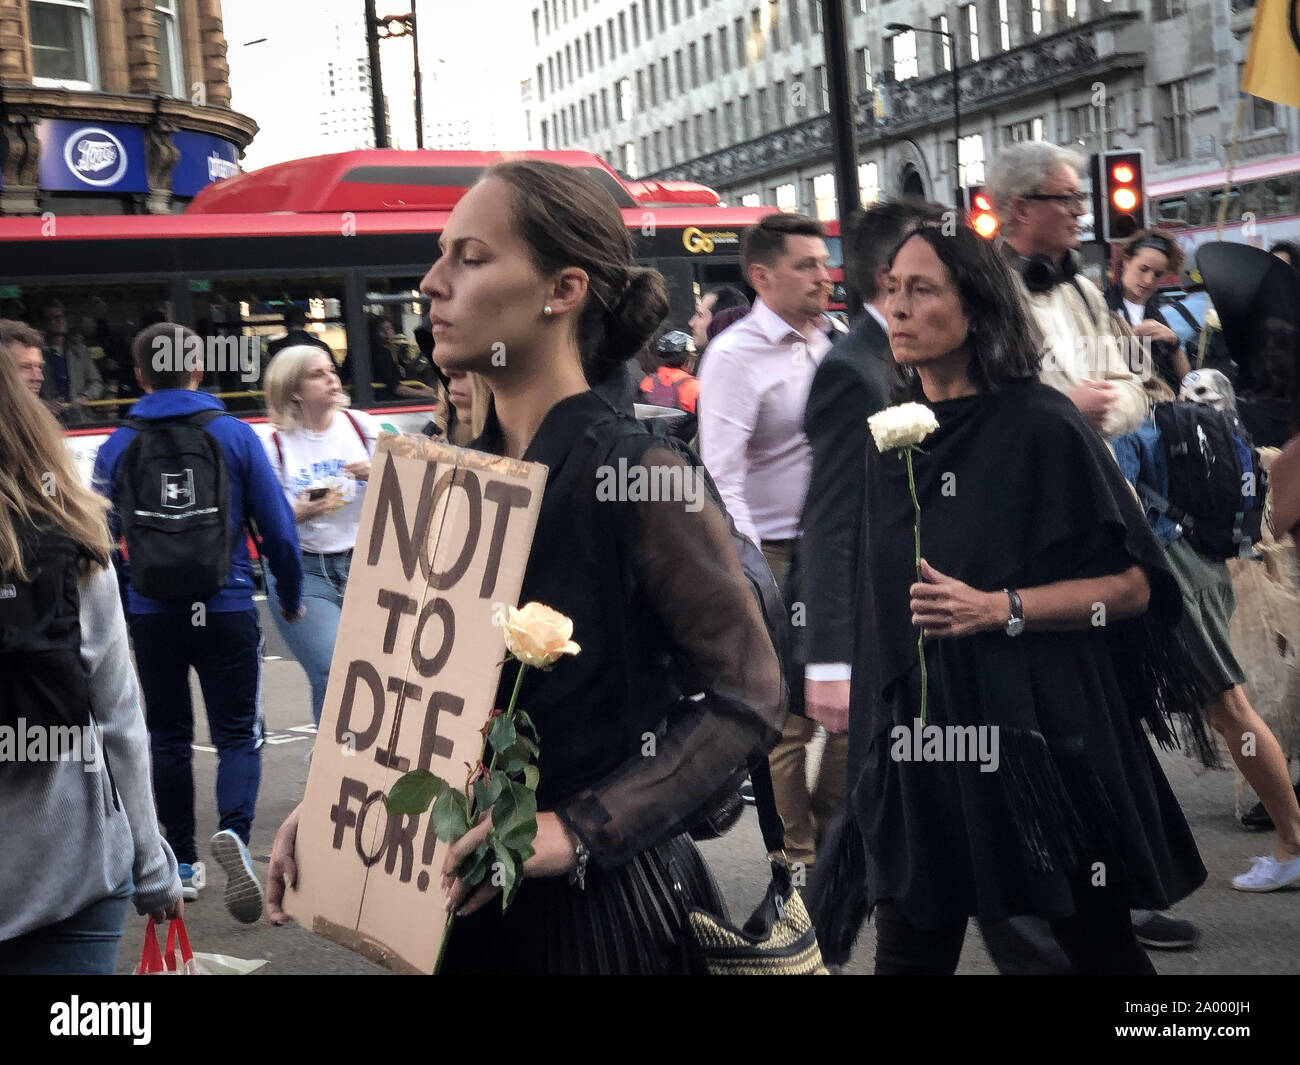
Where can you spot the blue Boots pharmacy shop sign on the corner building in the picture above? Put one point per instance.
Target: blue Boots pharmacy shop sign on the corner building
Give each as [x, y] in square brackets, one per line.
[83, 157]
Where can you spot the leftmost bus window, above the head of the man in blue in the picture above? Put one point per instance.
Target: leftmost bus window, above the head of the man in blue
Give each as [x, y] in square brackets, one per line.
[89, 327]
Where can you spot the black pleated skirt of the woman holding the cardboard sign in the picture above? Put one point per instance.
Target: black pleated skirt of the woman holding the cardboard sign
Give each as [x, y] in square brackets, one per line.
[627, 921]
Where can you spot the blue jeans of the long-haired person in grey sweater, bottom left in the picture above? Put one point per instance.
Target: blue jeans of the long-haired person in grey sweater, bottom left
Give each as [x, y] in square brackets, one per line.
[83, 945]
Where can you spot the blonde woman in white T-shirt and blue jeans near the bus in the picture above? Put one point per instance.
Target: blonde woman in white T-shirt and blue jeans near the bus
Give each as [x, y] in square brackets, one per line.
[322, 456]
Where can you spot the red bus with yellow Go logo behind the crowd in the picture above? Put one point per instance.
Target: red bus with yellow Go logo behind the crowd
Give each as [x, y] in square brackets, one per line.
[344, 239]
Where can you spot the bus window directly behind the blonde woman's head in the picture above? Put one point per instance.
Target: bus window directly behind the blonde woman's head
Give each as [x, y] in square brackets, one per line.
[246, 321]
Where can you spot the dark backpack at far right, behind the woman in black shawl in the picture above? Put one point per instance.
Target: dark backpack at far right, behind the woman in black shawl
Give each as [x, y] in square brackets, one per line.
[1216, 483]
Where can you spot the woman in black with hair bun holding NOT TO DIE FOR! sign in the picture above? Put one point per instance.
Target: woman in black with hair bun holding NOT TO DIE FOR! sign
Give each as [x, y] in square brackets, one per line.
[538, 291]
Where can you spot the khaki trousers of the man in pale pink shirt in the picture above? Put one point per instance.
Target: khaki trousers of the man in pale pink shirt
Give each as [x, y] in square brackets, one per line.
[805, 811]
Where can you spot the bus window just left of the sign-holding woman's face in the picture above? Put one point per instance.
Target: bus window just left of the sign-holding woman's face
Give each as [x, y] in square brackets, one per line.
[401, 344]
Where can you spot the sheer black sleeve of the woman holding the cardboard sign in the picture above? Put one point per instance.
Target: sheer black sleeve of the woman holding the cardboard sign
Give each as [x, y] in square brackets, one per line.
[686, 566]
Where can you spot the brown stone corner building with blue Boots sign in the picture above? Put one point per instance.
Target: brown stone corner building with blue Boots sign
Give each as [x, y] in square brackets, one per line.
[114, 106]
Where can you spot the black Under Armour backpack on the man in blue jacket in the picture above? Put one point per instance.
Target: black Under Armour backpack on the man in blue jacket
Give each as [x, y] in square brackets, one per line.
[174, 500]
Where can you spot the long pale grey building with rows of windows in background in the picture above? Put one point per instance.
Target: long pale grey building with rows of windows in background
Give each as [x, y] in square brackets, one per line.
[735, 94]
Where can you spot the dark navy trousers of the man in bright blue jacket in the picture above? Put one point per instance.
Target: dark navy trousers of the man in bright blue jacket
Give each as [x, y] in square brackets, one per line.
[227, 655]
